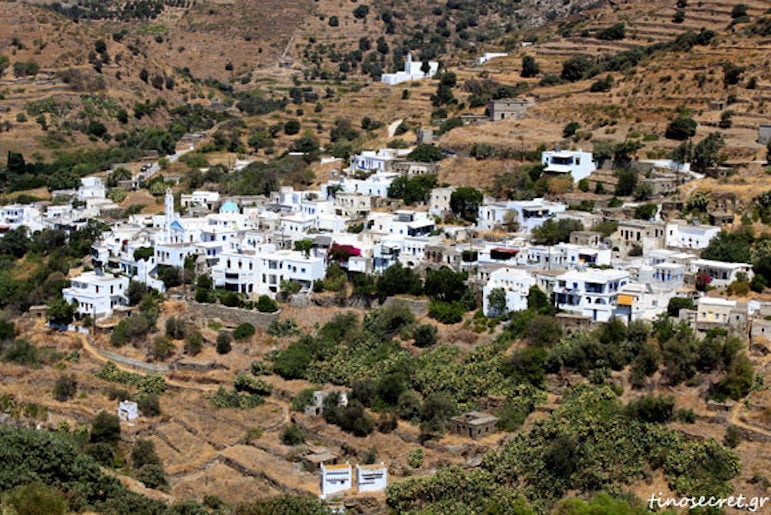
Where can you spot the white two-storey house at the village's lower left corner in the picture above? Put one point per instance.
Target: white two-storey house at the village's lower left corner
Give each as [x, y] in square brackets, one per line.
[96, 293]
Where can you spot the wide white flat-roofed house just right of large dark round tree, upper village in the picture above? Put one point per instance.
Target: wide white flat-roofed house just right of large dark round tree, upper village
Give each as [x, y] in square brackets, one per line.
[528, 214]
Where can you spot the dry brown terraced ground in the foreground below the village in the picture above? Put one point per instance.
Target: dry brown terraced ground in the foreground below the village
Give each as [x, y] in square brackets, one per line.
[238, 454]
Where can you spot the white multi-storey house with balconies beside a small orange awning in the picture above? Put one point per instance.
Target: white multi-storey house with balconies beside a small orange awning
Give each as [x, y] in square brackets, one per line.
[590, 293]
